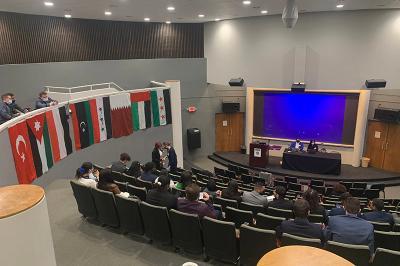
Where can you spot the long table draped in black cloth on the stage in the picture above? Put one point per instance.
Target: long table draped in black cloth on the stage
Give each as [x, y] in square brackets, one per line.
[317, 163]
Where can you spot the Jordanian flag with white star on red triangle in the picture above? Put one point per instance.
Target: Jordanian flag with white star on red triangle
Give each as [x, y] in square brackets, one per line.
[40, 143]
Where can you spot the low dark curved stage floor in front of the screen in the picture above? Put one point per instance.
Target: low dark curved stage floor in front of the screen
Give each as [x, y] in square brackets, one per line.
[348, 172]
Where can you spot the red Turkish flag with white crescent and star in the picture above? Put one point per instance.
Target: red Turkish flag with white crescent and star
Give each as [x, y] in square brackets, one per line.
[21, 149]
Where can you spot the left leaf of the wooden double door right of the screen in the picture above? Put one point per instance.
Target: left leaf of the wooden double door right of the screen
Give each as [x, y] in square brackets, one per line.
[376, 141]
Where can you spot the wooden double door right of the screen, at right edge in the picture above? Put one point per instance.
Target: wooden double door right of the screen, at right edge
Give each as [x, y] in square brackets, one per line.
[383, 145]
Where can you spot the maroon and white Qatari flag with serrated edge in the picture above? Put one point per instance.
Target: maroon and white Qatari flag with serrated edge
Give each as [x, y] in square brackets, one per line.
[121, 115]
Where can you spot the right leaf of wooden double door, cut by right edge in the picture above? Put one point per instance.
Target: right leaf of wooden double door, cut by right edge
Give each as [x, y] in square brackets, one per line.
[392, 149]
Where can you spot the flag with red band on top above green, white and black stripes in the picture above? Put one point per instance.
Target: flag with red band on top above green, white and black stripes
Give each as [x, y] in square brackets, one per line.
[141, 110]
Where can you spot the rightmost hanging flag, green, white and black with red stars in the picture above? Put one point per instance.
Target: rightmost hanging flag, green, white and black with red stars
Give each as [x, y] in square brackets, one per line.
[161, 107]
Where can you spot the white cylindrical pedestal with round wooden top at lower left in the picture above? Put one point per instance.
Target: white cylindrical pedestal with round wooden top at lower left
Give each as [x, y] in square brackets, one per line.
[25, 227]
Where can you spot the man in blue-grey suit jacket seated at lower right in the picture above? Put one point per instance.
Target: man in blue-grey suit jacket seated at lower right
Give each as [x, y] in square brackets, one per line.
[349, 228]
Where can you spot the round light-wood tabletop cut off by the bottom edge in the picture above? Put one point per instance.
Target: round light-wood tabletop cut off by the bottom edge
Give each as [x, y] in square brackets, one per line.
[301, 256]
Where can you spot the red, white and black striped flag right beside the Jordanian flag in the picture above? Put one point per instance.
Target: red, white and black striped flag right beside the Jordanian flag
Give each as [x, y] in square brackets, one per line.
[58, 129]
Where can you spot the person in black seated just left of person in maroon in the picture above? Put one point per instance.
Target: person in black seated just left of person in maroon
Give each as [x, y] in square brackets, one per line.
[160, 195]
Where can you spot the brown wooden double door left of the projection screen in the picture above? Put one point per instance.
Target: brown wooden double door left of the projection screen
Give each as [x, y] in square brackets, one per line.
[229, 131]
